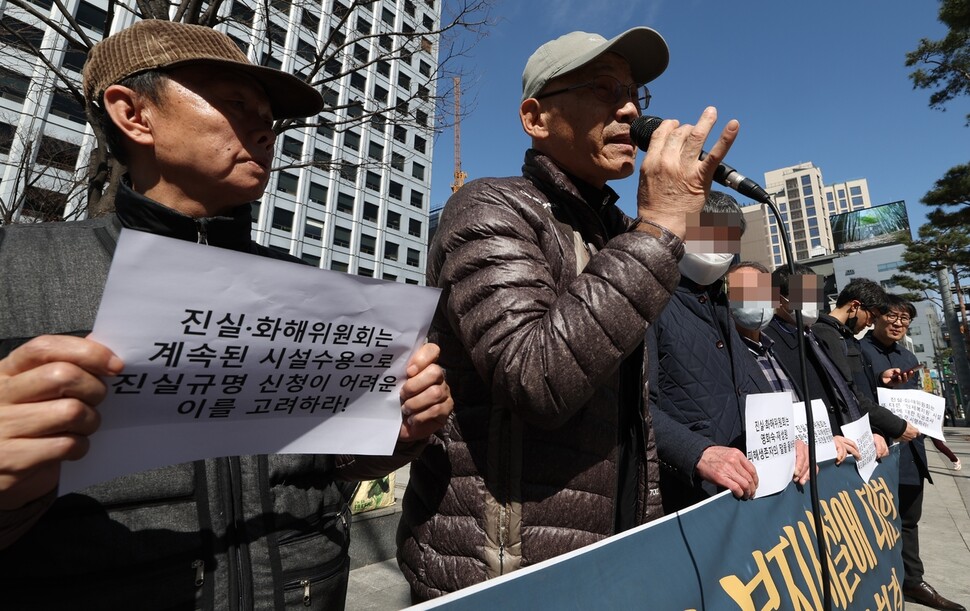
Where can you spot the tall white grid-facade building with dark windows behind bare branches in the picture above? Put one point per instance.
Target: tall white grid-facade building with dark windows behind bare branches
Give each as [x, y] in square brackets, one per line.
[352, 190]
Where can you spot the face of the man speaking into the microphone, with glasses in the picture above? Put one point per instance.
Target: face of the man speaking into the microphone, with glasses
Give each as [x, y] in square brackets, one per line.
[589, 137]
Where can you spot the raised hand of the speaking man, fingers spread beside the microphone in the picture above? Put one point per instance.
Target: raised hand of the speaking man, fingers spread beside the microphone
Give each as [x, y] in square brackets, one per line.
[673, 182]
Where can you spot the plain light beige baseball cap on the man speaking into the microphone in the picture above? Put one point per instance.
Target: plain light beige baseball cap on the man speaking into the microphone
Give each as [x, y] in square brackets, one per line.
[644, 49]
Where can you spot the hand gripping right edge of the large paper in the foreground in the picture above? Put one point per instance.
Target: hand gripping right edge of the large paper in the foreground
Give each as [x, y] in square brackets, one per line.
[425, 397]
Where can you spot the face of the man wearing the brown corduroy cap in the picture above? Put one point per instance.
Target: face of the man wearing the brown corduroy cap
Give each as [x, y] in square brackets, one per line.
[213, 141]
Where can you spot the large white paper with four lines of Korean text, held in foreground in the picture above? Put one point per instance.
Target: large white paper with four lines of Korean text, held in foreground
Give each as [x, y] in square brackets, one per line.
[230, 354]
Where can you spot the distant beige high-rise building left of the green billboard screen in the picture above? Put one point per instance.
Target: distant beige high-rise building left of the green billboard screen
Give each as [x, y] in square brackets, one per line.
[805, 204]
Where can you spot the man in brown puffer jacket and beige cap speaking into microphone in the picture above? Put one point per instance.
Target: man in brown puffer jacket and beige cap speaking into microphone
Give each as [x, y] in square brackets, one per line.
[548, 290]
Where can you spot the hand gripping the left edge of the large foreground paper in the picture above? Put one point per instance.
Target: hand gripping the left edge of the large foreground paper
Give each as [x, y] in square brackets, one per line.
[49, 389]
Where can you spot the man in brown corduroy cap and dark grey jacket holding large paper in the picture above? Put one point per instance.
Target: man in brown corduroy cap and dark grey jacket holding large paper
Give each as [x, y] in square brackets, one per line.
[192, 120]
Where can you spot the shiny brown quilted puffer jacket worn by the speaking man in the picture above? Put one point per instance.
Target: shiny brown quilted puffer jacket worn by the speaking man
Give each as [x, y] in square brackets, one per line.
[526, 469]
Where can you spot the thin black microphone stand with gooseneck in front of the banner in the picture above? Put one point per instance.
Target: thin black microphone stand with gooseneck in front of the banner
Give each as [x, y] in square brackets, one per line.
[810, 420]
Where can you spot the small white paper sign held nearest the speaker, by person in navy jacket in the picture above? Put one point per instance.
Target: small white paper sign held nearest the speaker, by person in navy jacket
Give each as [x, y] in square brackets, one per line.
[770, 437]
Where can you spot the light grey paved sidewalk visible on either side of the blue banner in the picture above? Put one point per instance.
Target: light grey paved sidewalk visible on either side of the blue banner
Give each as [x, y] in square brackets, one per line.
[944, 539]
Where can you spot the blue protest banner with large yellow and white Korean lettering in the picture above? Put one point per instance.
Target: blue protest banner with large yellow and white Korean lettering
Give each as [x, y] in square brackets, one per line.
[728, 554]
